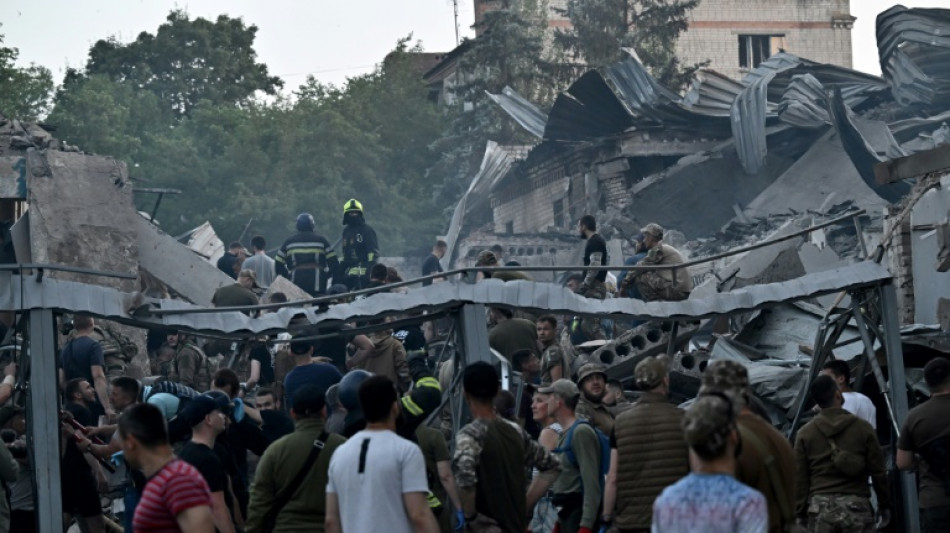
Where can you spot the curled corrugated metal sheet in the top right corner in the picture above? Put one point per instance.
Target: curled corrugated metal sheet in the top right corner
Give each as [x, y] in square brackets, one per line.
[914, 50]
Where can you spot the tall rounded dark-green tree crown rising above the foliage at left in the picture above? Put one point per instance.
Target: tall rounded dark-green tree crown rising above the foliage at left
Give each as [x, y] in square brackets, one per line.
[187, 61]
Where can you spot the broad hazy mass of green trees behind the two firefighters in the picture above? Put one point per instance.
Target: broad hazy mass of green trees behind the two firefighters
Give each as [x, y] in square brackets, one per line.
[242, 163]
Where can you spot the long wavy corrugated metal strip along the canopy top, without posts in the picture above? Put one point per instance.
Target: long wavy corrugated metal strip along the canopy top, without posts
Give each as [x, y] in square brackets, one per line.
[110, 303]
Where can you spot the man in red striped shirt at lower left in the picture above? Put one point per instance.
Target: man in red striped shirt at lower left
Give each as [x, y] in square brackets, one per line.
[176, 497]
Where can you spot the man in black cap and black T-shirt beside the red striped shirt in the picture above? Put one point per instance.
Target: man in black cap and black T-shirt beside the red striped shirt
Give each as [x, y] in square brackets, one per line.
[207, 421]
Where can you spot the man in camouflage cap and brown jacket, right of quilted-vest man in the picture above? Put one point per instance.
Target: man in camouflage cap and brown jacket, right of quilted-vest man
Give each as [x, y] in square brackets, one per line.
[766, 461]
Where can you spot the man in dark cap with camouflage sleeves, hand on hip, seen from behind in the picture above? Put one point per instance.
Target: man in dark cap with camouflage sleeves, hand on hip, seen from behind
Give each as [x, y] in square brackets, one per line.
[491, 455]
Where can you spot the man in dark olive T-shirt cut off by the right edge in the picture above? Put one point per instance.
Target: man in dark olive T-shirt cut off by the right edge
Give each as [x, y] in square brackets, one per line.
[924, 446]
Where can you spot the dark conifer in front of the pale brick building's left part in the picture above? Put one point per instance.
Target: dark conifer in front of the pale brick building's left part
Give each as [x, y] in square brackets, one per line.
[651, 27]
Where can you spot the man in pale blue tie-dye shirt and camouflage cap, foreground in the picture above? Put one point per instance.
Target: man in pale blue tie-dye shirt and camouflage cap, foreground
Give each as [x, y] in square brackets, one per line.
[710, 499]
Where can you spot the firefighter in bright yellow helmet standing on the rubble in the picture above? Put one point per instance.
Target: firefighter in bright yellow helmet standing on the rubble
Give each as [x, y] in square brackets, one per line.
[360, 248]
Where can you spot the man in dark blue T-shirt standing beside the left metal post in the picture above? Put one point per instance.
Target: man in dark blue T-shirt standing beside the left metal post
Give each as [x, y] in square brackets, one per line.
[82, 357]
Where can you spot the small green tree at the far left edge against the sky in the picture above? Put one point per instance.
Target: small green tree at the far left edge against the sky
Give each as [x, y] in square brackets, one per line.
[24, 92]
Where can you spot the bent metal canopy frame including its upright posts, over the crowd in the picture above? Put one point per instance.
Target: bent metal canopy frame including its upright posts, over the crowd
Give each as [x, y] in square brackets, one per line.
[42, 298]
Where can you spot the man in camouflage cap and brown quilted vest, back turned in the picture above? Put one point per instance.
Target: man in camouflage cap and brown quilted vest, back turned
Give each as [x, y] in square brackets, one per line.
[644, 462]
